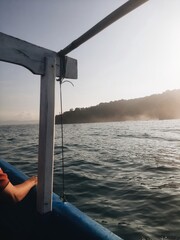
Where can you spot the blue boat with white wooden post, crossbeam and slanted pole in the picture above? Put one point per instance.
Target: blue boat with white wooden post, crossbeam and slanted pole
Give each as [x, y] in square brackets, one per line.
[44, 214]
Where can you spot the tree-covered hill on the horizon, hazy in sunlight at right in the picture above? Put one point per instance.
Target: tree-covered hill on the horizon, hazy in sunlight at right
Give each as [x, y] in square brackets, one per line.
[157, 106]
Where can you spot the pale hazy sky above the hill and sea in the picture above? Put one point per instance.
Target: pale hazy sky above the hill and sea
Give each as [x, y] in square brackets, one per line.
[136, 56]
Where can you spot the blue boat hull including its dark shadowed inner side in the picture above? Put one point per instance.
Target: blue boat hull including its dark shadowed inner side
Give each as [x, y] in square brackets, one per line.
[22, 221]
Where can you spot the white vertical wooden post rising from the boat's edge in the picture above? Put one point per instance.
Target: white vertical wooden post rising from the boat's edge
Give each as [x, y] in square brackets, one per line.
[46, 137]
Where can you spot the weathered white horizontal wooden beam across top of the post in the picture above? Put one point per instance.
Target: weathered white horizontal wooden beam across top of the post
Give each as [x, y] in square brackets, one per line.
[32, 57]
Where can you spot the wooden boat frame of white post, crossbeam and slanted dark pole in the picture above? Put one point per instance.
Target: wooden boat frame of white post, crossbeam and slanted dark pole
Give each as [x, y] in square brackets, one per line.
[48, 64]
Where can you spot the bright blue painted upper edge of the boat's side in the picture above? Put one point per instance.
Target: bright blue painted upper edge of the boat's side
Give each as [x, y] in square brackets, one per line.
[65, 209]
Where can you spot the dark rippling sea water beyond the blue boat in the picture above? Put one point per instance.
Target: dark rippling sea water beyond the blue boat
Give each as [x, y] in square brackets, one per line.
[124, 175]
